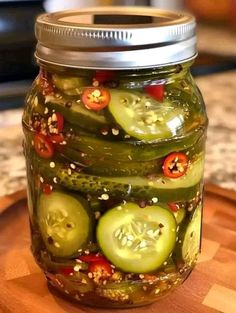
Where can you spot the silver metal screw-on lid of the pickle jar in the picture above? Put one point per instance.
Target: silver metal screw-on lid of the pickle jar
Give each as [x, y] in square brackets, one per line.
[115, 38]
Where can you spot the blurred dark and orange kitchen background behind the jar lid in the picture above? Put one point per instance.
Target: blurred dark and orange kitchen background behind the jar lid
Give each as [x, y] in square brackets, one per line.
[217, 37]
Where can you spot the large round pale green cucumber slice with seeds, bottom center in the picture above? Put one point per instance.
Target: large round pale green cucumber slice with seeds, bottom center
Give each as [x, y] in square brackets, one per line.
[140, 240]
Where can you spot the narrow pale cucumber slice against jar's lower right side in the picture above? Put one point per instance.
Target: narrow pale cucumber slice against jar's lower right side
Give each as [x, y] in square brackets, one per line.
[192, 238]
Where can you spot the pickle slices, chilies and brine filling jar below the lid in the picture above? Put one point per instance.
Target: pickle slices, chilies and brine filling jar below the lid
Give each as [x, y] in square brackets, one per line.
[114, 183]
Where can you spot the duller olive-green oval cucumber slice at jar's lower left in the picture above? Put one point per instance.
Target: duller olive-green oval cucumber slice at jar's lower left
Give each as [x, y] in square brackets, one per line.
[64, 223]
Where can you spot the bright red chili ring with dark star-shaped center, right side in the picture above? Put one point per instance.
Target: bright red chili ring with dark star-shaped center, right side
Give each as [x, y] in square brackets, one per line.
[175, 165]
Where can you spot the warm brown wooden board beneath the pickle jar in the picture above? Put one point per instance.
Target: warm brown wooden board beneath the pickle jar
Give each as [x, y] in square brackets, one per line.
[211, 288]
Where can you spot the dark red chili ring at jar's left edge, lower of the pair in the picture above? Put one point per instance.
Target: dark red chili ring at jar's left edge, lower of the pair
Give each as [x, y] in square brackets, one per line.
[43, 146]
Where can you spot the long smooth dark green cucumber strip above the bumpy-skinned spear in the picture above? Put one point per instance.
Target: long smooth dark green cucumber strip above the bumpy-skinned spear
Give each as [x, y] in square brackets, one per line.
[135, 151]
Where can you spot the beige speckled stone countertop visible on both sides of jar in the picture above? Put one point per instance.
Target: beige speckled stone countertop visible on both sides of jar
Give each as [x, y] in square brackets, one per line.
[219, 92]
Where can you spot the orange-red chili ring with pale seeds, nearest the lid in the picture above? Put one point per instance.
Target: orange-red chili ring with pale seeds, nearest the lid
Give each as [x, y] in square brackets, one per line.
[95, 98]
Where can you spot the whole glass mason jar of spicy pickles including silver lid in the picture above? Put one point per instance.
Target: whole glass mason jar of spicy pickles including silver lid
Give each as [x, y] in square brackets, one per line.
[115, 130]
